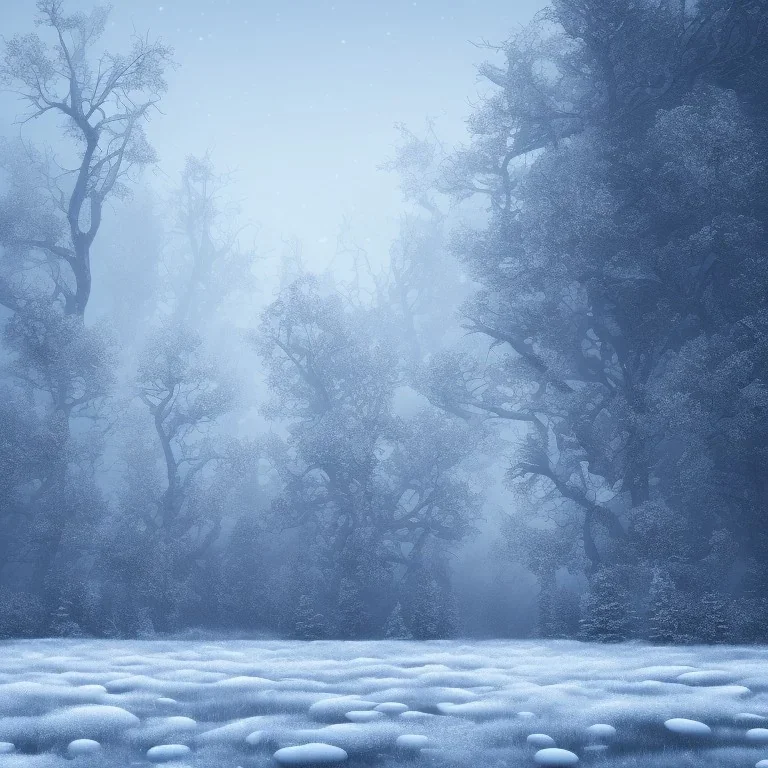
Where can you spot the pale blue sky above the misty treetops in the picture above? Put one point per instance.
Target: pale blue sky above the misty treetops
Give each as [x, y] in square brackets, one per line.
[300, 97]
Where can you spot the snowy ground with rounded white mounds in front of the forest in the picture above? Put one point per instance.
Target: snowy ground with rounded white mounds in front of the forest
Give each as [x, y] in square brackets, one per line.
[239, 703]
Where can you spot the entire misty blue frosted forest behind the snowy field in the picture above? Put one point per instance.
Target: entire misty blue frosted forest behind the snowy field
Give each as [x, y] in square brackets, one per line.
[563, 353]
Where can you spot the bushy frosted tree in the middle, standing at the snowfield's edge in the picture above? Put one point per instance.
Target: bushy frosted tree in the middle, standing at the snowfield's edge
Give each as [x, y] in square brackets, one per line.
[379, 495]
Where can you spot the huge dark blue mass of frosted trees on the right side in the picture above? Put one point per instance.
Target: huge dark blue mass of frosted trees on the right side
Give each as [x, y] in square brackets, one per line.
[622, 275]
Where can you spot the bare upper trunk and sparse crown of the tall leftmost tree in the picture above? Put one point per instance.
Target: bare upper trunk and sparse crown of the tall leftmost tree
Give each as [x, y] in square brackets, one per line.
[104, 100]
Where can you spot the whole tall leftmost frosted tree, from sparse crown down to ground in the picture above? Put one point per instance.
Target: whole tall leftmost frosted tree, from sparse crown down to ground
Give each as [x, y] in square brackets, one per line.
[51, 212]
